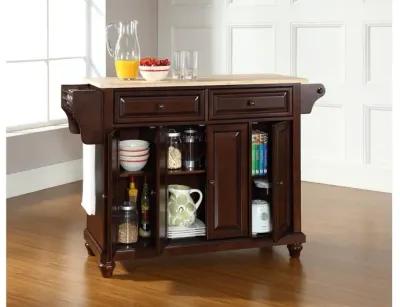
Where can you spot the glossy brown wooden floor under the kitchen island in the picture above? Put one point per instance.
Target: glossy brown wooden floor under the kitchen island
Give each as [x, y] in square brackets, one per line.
[346, 261]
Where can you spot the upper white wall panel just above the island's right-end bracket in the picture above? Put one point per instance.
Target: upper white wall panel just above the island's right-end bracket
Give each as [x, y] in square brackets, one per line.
[319, 52]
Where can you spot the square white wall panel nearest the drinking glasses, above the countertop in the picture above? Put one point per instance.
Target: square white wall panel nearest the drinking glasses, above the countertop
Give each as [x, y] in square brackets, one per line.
[252, 49]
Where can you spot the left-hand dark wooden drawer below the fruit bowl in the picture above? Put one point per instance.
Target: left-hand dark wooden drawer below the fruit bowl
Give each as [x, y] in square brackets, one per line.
[164, 105]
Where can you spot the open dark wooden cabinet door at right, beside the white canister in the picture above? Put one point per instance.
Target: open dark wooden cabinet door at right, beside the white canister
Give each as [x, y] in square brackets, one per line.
[281, 178]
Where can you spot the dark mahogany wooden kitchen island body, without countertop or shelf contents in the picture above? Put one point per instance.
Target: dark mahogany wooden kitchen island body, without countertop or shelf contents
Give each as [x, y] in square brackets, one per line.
[95, 113]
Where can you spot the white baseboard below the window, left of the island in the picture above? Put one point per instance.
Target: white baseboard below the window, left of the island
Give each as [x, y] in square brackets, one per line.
[44, 177]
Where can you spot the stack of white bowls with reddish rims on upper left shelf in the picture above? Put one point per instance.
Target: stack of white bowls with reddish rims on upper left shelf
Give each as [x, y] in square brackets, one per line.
[133, 154]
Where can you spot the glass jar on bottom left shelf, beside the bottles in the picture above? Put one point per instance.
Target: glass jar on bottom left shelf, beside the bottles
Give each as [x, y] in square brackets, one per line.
[128, 224]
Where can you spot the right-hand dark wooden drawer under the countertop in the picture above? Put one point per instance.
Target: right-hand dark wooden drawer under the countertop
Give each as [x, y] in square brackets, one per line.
[250, 103]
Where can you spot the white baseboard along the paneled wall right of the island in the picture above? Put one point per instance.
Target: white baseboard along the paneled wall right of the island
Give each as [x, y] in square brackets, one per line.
[360, 176]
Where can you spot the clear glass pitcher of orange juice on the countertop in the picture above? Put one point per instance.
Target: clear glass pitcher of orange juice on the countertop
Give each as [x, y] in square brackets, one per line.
[126, 53]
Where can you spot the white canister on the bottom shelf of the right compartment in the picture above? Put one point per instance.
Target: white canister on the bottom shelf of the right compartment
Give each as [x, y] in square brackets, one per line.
[261, 217]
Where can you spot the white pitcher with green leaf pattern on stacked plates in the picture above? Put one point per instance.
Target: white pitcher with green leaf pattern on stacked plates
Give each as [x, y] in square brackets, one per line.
[181, 207]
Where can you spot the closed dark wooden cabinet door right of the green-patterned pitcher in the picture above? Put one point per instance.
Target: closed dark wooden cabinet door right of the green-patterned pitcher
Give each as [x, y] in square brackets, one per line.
[227, 174]
